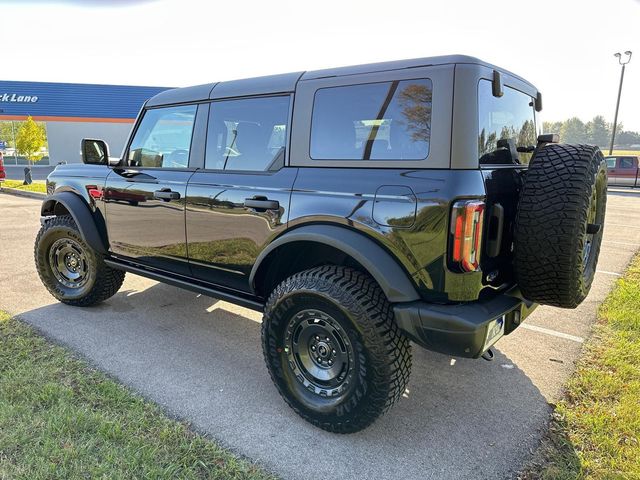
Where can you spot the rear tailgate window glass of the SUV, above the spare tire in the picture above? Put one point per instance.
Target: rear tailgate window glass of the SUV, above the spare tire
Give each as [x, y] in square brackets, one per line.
[505, 120]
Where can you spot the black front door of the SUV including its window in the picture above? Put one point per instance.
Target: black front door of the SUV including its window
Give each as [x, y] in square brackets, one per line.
[145, 194]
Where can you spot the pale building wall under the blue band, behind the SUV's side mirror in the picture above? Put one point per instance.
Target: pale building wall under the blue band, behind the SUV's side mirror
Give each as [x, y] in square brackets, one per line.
[64, 138]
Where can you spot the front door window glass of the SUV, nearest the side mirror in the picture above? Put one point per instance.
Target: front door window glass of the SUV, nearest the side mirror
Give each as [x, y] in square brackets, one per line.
[163, 138]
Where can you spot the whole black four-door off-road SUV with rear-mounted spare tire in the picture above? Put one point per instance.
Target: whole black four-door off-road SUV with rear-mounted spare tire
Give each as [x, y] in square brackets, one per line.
[359, 208]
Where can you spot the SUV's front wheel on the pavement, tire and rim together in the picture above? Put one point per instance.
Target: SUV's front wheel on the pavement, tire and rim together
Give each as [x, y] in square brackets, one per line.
[69, 268]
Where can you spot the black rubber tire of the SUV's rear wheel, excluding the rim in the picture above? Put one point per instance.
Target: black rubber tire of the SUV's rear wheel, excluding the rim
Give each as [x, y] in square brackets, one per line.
[382, 353]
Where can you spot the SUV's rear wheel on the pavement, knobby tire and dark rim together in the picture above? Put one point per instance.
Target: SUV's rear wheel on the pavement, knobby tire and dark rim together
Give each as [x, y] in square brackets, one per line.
[333, 349]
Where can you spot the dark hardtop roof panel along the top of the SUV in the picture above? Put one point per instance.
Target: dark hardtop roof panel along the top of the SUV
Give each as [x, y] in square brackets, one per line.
[286, 83]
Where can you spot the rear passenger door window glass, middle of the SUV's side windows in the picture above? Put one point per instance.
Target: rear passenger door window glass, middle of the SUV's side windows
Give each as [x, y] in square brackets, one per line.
[247, 134]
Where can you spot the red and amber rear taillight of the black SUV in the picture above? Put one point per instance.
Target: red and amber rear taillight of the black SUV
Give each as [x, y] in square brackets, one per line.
[466, 234]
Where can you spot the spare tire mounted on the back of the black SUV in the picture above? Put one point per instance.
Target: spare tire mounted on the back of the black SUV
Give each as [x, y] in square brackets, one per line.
[559, 224]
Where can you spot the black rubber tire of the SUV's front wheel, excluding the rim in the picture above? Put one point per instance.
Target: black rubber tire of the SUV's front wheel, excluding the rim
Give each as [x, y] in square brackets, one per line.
[102, 281]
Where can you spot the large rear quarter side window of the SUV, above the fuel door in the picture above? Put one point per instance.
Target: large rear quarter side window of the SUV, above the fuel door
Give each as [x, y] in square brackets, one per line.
[375, 121]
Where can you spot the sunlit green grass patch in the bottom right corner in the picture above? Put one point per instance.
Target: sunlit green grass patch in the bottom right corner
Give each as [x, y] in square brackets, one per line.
[595, 433]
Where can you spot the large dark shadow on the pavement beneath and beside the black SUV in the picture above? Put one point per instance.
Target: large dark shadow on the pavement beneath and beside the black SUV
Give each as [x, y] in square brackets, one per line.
[458, 419]
